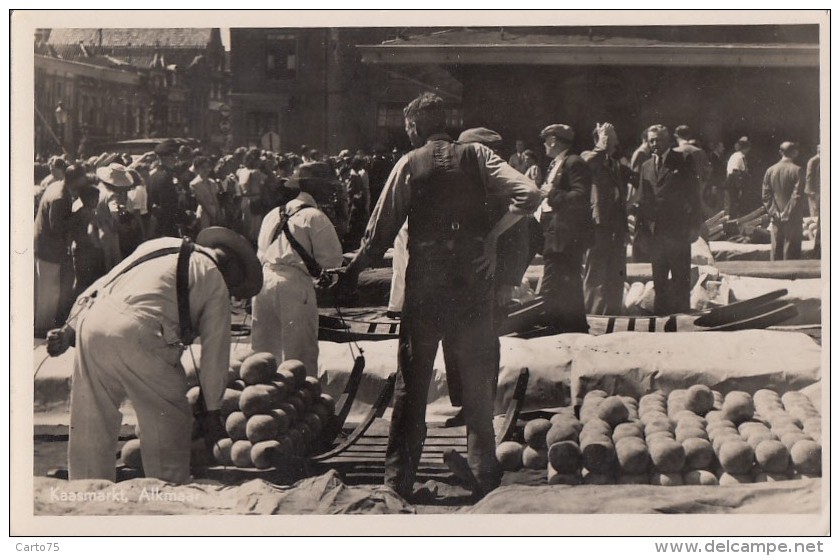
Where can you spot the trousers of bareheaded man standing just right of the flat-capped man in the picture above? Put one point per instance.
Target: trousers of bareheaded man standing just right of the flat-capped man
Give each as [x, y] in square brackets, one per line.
[604, 274]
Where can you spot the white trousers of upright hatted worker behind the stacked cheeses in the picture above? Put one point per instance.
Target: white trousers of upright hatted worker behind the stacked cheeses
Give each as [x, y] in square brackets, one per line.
[285, 316]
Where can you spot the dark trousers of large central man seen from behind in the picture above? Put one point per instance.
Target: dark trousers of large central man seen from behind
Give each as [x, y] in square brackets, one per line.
[445, 300]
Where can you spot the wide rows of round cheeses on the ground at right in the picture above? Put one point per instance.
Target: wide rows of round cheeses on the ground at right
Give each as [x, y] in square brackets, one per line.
[693, 436]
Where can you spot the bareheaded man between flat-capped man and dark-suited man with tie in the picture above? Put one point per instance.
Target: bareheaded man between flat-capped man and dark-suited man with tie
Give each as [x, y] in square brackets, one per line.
[605, 269]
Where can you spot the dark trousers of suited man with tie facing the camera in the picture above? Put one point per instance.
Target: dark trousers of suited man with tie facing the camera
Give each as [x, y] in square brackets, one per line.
[671, 266]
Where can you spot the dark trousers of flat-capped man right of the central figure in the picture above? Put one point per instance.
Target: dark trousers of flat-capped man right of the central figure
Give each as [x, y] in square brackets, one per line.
[562, 289]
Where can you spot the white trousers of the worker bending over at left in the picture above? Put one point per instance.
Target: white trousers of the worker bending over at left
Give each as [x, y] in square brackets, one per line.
[119, 355]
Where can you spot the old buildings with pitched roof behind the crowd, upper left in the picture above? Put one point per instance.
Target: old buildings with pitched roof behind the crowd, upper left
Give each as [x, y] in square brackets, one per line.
[98, 86]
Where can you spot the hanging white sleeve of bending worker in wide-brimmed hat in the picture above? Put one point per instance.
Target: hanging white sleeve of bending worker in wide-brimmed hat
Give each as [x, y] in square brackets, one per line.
[210, 306]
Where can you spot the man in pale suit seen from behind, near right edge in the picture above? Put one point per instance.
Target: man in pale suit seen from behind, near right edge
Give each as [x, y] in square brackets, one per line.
[782, 193]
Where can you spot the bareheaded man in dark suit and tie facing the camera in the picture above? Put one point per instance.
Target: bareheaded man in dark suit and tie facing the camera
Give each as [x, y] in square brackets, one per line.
[670, 204]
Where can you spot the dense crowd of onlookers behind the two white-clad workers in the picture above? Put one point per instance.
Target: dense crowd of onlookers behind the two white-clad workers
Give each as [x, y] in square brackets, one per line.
[91, 214]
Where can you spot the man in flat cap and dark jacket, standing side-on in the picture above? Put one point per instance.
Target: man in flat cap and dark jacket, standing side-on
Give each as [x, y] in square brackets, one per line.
[566, 218]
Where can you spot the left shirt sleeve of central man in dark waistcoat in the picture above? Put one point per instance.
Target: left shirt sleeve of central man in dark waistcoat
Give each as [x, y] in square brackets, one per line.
[387, 217]
